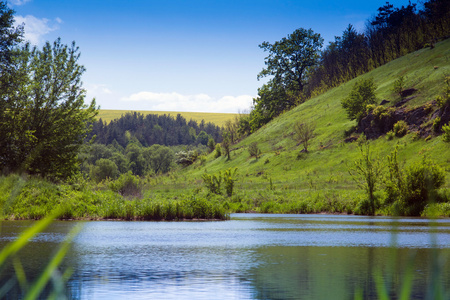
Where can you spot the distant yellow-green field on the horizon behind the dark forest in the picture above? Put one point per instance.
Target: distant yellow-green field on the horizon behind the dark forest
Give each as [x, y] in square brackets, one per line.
[217, 118]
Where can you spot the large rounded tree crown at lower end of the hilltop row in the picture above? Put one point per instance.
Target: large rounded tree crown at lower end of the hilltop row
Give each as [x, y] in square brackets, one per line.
[291, 58]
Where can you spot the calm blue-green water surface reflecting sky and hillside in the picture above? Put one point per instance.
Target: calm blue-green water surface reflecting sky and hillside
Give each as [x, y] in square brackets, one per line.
[251, 256]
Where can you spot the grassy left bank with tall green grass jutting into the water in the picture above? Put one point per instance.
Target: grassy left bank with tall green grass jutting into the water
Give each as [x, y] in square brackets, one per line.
[38, 198]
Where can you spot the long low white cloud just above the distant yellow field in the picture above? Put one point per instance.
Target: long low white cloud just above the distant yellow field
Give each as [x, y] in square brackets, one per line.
[195, 103]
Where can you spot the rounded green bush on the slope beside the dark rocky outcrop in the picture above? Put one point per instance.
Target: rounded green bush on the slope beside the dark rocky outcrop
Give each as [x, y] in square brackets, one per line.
[361, 95]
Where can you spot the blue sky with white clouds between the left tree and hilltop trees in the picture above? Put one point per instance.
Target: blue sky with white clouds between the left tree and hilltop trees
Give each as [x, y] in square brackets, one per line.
[174, 55]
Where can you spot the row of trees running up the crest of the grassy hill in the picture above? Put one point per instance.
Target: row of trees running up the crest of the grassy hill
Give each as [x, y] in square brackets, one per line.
[300, 69]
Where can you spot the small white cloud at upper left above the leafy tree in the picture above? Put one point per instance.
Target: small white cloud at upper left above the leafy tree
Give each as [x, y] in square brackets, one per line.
[36, 28]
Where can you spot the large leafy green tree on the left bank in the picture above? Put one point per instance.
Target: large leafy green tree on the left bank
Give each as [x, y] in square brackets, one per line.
[44, 119]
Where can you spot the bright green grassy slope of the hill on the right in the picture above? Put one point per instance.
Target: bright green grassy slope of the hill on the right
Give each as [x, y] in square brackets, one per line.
[282, 174]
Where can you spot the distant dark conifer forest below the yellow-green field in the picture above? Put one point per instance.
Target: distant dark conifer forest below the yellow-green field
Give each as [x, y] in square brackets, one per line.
[154, 129]
